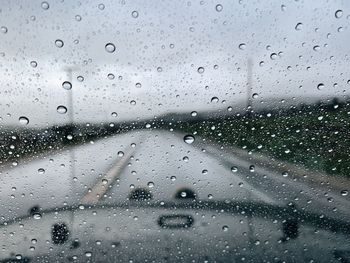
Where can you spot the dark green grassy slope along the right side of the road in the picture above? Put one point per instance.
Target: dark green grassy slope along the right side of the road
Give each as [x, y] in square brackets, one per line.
[317, 139]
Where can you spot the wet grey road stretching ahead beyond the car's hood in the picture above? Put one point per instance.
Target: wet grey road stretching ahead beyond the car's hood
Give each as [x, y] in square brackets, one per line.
[108, 170]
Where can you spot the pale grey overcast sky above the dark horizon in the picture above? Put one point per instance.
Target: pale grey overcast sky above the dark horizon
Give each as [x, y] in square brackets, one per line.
[161, 47]
